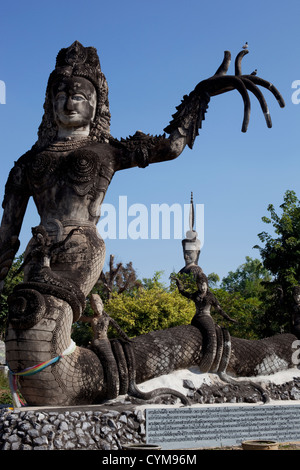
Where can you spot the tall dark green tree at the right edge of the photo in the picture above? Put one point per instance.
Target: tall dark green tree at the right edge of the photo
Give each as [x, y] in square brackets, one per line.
[281, 257]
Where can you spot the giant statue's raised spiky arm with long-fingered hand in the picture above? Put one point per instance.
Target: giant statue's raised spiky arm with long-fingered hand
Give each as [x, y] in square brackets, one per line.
[186, 122]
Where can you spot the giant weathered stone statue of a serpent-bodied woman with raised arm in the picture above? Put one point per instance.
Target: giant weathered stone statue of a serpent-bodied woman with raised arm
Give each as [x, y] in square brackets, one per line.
[67, 172]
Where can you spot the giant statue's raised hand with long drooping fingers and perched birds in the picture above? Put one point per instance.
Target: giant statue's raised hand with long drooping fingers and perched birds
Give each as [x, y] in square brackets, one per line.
[221, 83]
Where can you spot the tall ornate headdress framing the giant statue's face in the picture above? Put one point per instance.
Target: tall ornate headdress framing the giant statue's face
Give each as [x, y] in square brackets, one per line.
[77, 61]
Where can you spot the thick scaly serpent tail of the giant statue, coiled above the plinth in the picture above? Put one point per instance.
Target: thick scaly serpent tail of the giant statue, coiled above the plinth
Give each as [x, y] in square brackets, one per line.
[80, 378]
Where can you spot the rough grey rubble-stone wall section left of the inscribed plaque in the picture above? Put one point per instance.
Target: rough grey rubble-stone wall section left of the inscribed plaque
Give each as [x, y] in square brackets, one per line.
[71, 429]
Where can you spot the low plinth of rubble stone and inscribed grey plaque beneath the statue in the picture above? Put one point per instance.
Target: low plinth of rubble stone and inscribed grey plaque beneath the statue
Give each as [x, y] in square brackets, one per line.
[173, 427]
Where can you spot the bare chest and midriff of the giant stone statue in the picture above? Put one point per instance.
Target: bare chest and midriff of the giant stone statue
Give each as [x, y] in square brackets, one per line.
[70, 183]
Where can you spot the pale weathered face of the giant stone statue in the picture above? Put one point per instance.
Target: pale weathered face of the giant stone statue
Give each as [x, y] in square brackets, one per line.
[74, 103]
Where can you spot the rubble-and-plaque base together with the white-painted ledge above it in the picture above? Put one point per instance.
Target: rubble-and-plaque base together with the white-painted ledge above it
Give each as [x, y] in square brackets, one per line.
[219, 416]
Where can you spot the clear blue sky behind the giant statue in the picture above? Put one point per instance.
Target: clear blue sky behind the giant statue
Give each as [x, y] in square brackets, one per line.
[152, 53]
